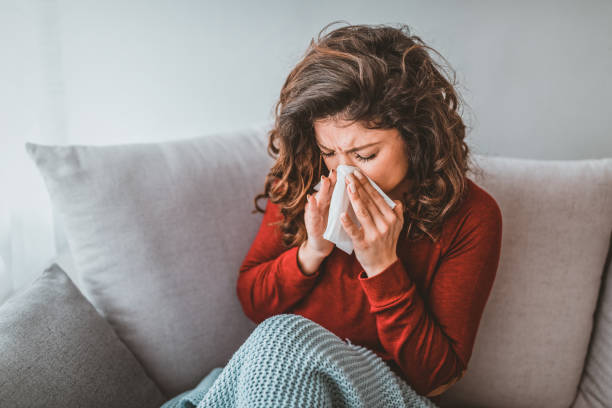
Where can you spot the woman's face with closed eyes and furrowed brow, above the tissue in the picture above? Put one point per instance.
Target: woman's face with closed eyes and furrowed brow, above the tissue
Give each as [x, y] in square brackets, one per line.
[381, 152]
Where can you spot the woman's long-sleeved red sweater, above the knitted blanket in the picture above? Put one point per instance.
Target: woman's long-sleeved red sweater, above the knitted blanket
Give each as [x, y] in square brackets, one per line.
[420, 315]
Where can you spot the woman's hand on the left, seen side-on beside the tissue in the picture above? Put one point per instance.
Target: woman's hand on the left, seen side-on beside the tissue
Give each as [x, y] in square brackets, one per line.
[316, 212]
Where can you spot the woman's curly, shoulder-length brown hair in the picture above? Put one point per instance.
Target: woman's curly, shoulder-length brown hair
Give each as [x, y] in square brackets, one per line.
[384, 78]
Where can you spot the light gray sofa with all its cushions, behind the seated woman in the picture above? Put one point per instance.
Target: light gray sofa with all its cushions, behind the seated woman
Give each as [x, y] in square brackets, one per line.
[140, 302]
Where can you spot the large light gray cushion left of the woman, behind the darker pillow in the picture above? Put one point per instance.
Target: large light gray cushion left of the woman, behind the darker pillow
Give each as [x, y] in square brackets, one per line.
[157, 233]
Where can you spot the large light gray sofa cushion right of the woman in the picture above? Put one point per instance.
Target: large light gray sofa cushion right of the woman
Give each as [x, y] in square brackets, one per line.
[533, 339]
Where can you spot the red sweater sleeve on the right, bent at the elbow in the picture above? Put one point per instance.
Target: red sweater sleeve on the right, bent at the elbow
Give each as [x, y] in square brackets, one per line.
[432, 341]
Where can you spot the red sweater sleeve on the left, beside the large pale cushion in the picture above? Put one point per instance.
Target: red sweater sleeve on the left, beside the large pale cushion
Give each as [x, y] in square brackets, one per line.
[270, 280]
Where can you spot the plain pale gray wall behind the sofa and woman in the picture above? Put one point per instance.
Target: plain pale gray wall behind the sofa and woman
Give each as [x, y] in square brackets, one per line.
[535, 76]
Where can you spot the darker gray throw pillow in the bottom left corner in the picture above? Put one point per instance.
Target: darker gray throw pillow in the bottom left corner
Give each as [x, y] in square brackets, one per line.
[57, 351]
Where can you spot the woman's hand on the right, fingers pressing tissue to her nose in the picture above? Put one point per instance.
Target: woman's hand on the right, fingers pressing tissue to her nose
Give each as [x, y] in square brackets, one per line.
[375, 242]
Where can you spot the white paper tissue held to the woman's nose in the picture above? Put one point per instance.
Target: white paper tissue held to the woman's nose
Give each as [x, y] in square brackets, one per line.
[340, 202]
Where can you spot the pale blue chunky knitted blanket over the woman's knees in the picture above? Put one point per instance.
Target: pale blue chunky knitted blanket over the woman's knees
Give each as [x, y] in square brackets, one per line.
[292, 361]
